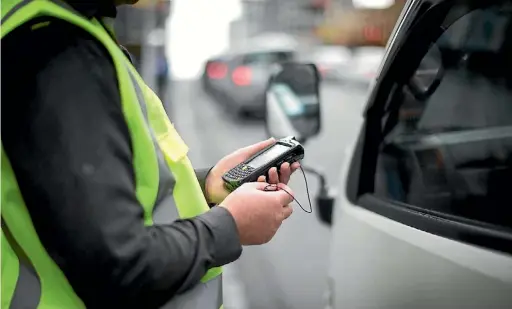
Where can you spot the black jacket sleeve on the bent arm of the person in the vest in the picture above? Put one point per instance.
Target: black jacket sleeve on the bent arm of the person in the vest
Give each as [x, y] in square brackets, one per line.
[70, 148]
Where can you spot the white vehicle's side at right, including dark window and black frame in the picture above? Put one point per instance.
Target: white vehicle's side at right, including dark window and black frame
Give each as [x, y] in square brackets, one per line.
[425, 220]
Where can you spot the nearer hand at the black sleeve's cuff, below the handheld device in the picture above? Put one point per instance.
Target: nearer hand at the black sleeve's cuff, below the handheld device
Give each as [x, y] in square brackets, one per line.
[258, 214]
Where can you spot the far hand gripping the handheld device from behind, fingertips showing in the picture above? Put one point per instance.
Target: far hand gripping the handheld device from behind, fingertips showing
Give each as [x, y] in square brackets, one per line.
[215, 190]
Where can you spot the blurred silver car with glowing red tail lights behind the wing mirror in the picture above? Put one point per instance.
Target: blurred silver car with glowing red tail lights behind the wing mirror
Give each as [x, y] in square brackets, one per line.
[238, 79]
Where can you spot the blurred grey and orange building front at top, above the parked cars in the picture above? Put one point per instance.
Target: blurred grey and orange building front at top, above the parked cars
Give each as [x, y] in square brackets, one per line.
[331, 22]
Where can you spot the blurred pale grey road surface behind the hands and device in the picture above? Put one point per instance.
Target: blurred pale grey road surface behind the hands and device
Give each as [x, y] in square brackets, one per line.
[289, 272]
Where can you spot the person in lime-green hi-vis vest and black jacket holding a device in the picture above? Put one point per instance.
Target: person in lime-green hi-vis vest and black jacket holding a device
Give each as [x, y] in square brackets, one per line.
[101, 207]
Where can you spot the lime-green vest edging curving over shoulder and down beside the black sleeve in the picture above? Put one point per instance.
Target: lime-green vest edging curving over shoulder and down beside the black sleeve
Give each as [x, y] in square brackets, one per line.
[145, 161]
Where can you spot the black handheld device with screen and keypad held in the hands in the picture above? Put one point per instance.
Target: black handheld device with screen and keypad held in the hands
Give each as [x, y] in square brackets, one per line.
[284, 150]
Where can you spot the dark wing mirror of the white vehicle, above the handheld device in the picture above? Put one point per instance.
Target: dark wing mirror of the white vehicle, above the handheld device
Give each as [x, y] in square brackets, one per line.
[293, 101]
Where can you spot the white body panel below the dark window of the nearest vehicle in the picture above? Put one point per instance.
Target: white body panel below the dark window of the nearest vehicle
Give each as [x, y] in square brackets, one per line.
[376, 262]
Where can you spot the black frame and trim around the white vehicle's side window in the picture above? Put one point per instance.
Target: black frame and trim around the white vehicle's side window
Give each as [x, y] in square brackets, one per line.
[360, 178]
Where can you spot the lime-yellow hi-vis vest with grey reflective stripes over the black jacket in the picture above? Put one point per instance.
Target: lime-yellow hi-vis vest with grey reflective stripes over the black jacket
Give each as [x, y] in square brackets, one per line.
[166, 183]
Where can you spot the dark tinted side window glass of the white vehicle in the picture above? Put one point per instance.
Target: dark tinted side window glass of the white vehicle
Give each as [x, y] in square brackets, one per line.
[447, 144]
